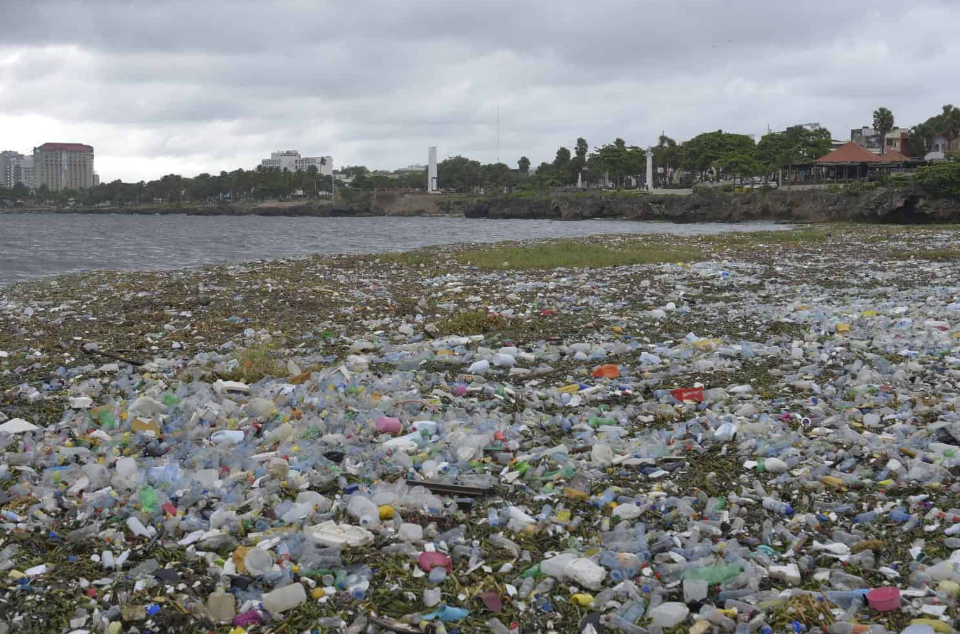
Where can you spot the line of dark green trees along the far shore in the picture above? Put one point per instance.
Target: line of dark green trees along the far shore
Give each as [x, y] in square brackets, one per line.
[708, 155]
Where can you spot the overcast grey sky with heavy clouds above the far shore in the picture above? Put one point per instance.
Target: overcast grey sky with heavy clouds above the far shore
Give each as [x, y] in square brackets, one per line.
[208, 85]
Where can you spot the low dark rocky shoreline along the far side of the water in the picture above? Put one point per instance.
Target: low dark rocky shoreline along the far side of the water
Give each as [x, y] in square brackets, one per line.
[883, 205]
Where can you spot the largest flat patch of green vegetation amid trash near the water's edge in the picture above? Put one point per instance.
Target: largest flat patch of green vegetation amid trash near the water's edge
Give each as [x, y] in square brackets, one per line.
[572, 253]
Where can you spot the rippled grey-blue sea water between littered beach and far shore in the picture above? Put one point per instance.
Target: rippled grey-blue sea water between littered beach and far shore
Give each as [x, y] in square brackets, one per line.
[39, 245]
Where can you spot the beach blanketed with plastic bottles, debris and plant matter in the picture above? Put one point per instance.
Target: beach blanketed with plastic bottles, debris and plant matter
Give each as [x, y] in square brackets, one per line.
[713, 434]
